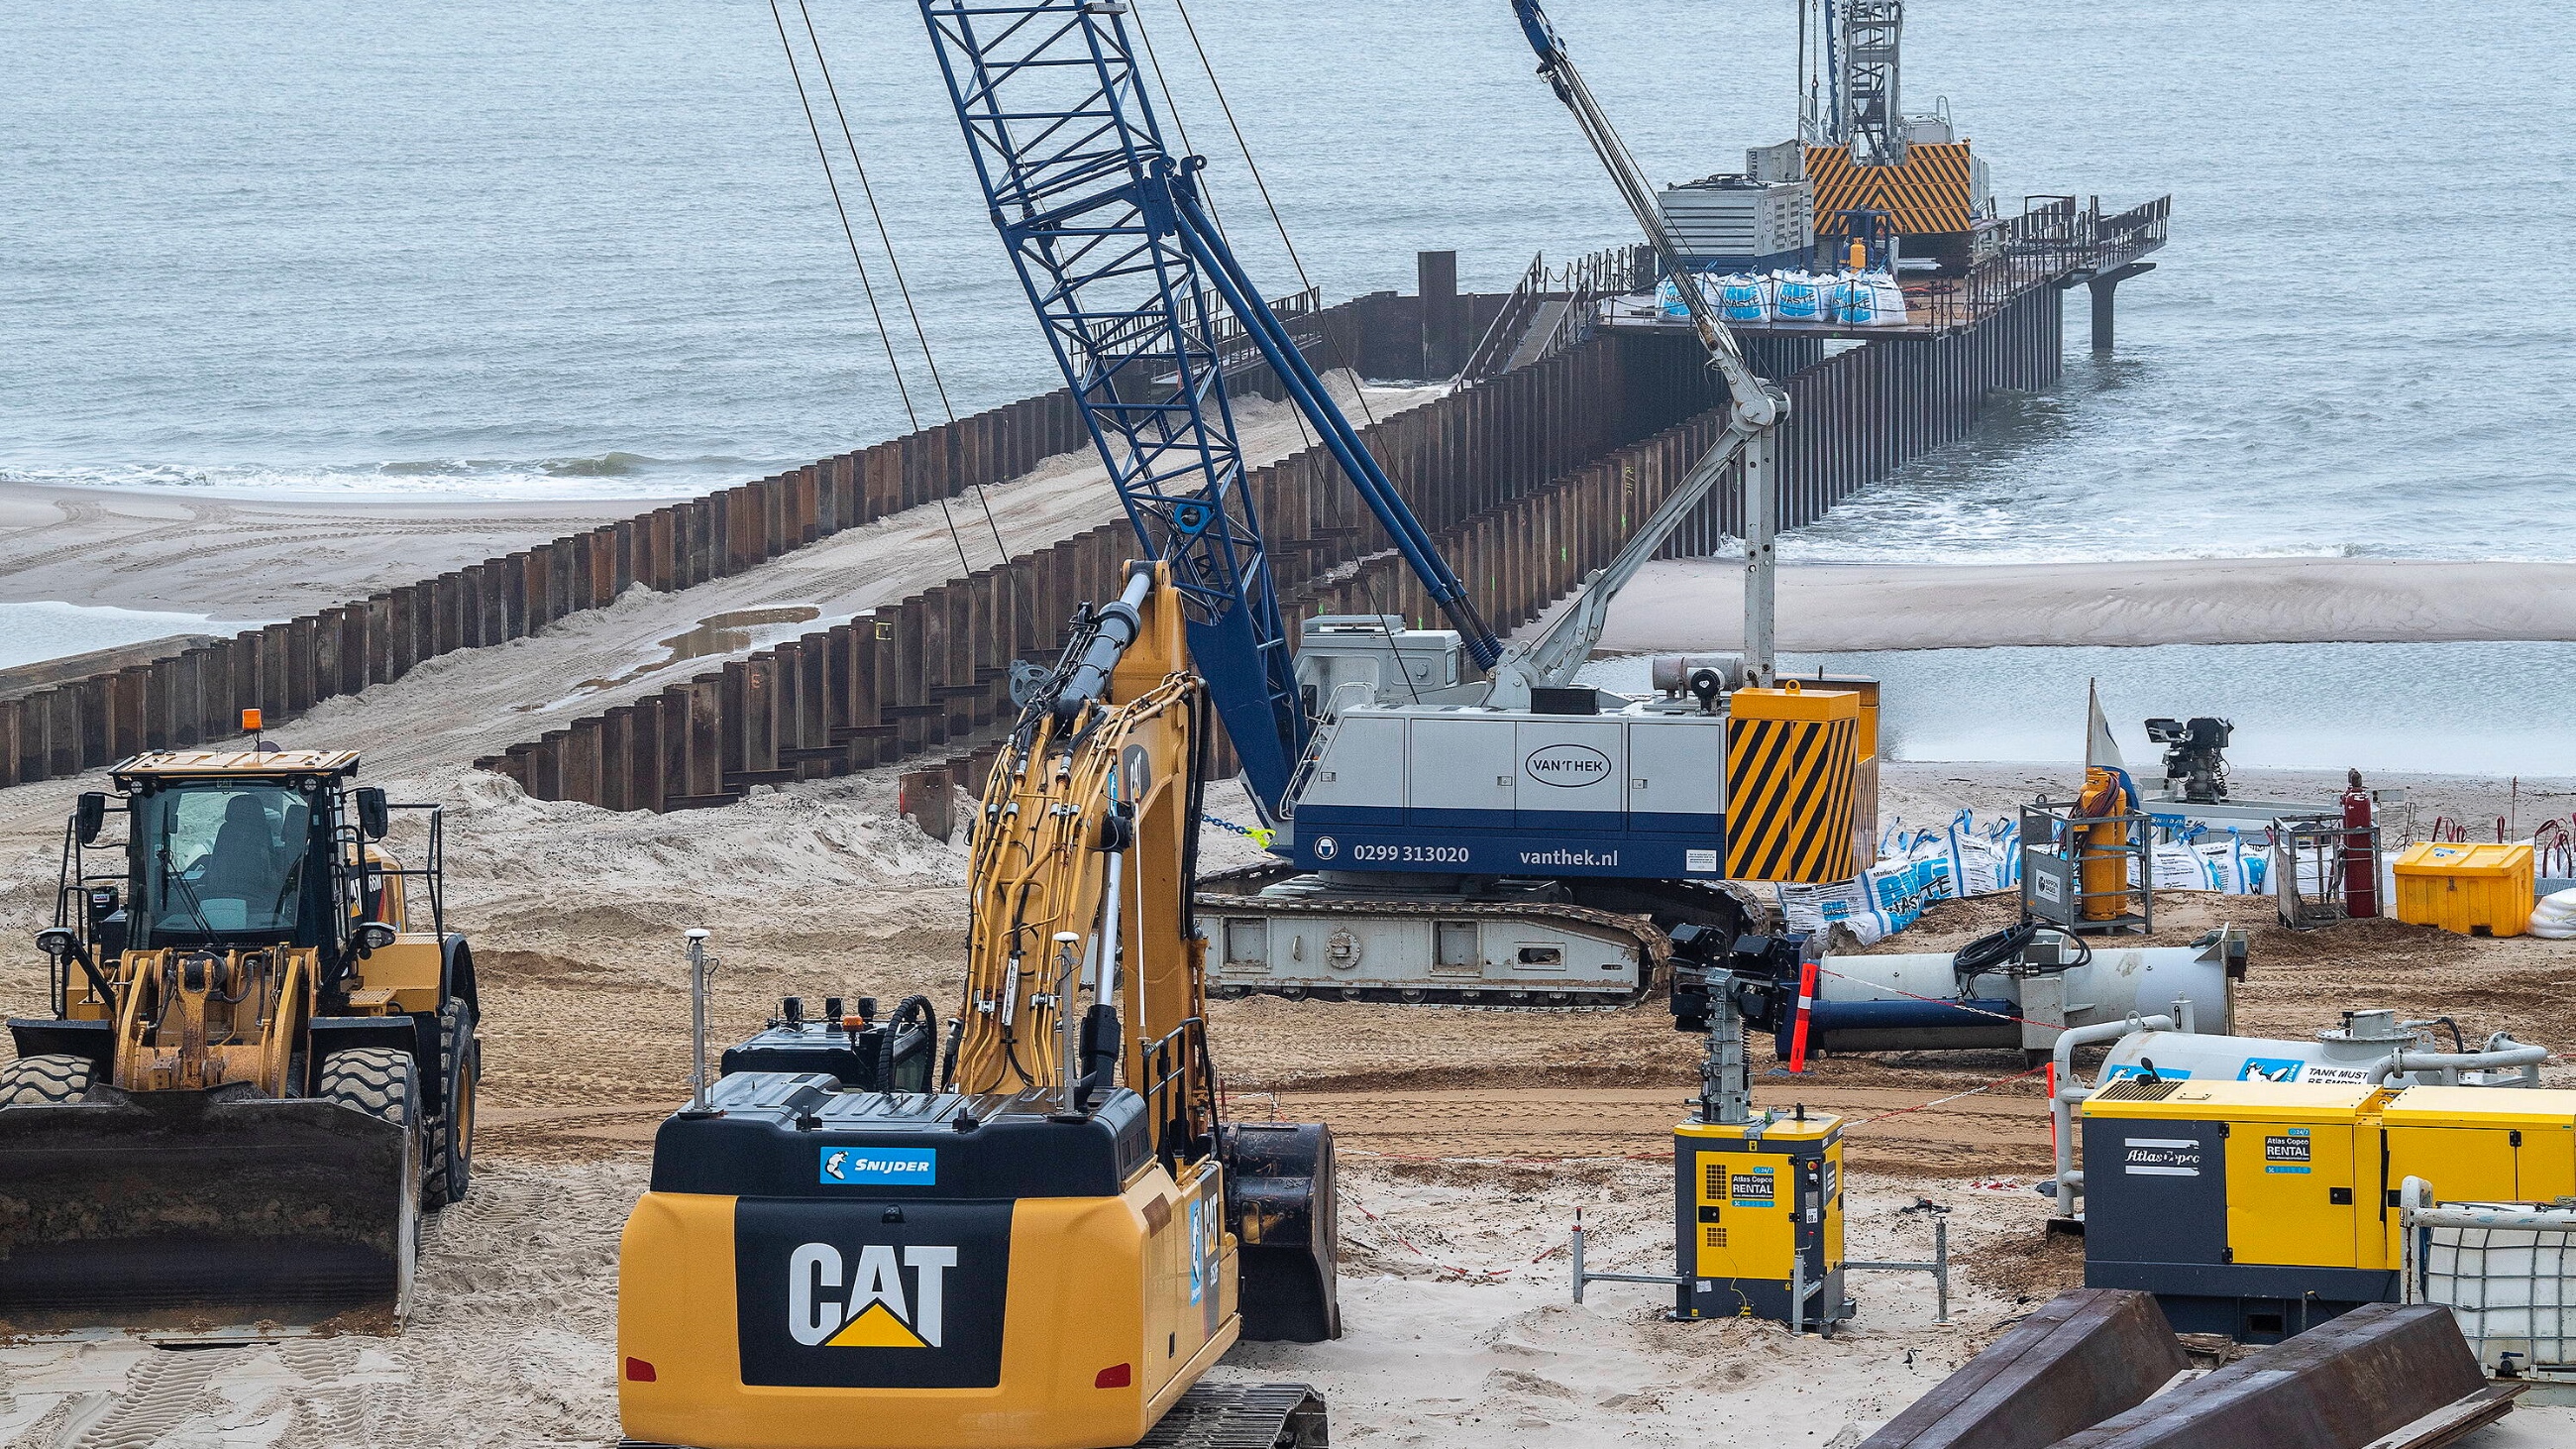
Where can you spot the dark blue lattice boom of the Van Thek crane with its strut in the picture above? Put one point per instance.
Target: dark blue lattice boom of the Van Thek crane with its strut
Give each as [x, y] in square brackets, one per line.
[1130, 275]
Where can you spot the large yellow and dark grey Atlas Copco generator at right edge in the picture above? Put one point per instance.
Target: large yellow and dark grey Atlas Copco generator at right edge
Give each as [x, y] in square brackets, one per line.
[2263, 1208]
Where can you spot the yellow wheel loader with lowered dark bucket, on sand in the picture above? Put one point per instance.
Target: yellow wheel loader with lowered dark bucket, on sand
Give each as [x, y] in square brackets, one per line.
[259, 1066]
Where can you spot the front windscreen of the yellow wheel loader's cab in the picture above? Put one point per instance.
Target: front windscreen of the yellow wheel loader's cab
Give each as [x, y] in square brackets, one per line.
[213, 860]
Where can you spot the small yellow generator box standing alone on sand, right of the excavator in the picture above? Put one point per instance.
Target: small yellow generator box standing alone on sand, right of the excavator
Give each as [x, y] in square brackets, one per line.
[1761, 1218]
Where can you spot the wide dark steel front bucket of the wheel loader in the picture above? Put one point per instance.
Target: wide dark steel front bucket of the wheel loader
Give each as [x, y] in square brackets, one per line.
[189, 1216]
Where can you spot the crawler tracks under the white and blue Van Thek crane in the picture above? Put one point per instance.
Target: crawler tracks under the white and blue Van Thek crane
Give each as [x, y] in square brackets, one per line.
[1238, 893]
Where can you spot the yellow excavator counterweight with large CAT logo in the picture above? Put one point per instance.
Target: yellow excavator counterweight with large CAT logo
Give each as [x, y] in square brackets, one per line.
[880, 1324]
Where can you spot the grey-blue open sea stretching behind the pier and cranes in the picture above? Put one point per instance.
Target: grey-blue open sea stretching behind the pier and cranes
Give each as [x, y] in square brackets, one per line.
[555, 251]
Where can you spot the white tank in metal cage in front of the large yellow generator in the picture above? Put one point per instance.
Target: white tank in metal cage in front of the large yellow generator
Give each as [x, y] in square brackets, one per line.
[2505, 1272]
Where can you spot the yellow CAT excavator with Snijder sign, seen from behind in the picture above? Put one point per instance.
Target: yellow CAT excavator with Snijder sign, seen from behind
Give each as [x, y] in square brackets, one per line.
[1060, 1241]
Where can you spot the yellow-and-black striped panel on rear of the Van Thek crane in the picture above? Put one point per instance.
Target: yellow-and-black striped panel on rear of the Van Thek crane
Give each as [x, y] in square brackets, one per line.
[1789, 801]
